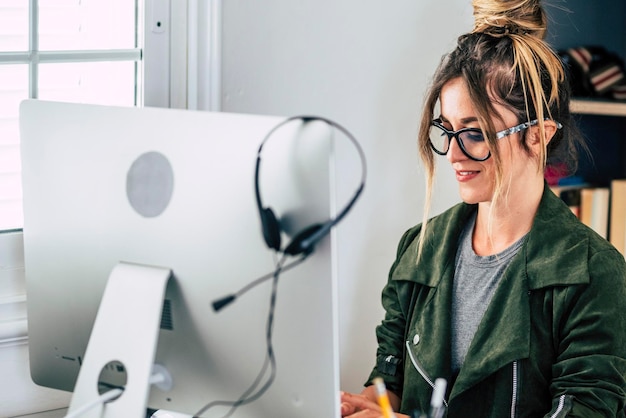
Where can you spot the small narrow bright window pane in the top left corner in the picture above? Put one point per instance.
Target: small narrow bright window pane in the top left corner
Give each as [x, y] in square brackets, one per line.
[13, 25]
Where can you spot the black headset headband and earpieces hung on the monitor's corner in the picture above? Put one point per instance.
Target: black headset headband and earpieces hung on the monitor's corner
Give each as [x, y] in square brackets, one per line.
[305, 240]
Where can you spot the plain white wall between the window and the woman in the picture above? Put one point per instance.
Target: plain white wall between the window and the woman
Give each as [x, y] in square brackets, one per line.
[366, 65]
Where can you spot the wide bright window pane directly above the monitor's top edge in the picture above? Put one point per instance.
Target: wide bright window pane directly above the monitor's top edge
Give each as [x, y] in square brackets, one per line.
[107, 83]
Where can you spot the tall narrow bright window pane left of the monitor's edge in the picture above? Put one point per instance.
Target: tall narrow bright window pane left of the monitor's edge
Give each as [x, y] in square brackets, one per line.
[13, 89]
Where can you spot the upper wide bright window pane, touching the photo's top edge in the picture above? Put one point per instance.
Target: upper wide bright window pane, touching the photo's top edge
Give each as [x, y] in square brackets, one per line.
[86, 24]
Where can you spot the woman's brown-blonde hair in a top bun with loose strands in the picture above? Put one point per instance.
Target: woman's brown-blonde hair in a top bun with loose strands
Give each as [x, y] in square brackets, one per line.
[505, 59]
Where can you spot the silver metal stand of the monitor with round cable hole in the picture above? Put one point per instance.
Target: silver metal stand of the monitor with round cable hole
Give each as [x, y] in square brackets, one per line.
[123, 341]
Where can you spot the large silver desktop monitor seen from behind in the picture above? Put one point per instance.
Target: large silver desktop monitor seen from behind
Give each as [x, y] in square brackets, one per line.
[86, 215]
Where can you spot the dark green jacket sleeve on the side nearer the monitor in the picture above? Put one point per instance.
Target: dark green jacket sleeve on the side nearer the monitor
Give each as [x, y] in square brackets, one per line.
[396, 299]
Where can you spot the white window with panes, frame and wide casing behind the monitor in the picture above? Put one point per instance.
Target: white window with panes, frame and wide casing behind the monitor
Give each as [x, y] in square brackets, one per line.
[117, 52]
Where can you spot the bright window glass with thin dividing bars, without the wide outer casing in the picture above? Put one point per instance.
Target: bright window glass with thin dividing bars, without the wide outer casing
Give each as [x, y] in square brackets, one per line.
[86, 51]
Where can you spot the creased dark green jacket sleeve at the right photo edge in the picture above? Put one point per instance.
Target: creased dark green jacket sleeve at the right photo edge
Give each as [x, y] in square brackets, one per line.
[589, 371]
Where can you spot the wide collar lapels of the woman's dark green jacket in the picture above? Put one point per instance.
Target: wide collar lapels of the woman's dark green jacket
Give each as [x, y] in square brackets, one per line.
[555, 250]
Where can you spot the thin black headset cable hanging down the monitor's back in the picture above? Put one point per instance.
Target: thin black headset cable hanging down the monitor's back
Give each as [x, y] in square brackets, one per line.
[270, 360]
